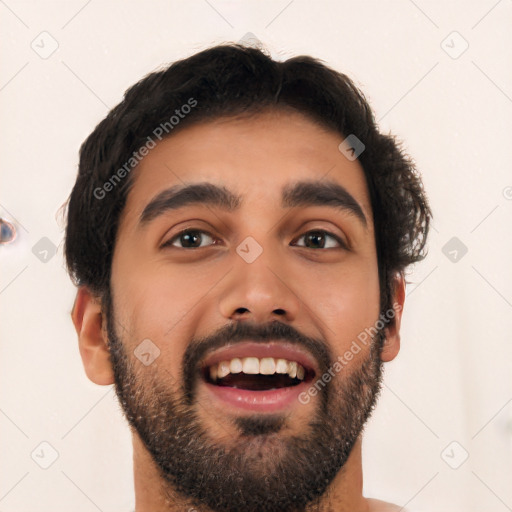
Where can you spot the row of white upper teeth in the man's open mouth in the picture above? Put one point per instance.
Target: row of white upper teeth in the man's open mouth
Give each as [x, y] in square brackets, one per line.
[253, 365]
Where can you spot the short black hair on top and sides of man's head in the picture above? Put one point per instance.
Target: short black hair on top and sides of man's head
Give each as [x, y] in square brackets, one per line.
[232, 80]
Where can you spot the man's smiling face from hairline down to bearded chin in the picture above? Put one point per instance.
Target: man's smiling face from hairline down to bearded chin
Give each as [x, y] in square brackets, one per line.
[245, 313]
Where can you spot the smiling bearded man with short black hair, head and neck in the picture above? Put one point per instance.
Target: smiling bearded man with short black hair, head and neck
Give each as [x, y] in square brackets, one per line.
[238, 232]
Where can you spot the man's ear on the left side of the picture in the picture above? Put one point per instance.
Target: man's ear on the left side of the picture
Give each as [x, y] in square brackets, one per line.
[92, 338]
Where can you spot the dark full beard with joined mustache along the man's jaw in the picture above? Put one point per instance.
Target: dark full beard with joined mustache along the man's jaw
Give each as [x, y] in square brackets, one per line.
[263, 470]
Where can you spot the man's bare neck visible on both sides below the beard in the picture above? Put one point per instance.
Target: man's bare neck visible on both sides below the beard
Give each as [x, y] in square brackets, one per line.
[345, 494]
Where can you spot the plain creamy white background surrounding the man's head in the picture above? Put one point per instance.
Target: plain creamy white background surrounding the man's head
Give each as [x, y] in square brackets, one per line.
[452, 379]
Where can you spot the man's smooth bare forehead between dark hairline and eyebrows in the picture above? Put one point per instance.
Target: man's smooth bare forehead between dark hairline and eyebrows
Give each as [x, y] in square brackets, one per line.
[256, 160]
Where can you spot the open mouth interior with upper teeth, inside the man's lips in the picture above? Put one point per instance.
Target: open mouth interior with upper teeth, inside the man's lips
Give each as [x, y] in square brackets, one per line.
[257, 374]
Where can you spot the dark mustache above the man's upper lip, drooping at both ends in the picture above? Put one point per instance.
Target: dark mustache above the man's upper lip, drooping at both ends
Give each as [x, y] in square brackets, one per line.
[243, 331]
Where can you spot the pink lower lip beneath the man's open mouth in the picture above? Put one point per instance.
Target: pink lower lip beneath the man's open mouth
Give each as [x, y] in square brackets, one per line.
[260, 401]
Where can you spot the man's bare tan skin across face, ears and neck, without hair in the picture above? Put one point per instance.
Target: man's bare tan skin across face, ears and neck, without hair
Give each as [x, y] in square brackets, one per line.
[331, 295]
